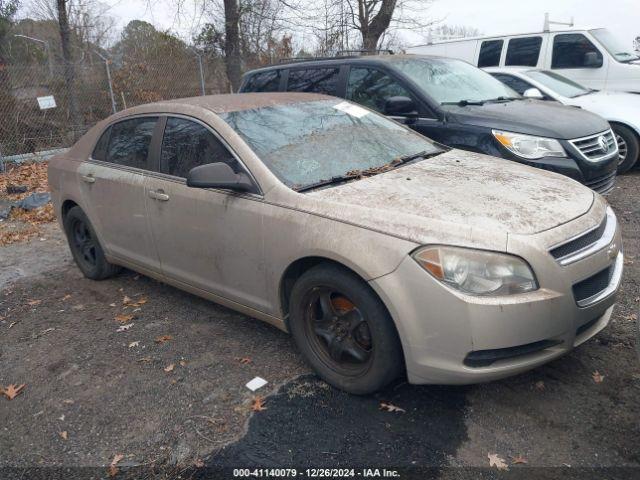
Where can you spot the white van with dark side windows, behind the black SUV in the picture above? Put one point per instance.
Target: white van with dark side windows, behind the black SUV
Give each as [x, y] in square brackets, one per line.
[594, 58]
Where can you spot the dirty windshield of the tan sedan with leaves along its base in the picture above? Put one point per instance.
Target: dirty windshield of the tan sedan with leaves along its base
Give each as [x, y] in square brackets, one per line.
[307, 143]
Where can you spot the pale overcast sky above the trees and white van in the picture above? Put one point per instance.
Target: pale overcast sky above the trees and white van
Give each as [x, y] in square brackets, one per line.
[489, 16]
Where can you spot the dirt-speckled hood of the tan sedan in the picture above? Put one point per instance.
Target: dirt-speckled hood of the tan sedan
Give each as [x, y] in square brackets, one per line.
[476, 195]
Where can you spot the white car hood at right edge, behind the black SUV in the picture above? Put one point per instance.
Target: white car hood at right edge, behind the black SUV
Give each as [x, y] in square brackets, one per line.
[611, 105]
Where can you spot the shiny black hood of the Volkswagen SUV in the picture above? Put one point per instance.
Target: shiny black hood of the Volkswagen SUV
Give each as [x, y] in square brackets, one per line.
[531, 117]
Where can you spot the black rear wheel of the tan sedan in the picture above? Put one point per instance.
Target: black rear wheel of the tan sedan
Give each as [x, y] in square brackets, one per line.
[85, 247]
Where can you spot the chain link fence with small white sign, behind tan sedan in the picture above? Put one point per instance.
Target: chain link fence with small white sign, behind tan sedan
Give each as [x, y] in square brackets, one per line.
[101, 87]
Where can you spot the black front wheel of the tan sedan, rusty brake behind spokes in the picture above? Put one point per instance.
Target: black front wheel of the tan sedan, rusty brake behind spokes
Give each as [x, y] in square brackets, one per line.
[344, 331]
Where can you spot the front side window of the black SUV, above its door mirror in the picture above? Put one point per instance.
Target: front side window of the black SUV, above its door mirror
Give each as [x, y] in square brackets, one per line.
[371, 87]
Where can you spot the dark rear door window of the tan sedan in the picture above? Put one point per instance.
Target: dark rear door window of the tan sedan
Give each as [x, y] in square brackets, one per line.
[129, 142]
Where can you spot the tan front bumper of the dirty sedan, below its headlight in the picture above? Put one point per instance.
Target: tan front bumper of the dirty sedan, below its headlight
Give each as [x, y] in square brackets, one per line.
[452, 338]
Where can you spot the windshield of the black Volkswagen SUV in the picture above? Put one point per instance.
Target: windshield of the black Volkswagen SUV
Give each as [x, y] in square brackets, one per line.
[450, 81]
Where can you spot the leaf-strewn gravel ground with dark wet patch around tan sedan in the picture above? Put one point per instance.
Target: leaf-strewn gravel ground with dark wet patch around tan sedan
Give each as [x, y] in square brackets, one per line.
[113, 396]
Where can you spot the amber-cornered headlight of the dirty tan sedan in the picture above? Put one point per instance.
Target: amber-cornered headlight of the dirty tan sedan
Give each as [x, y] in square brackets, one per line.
[477, 272]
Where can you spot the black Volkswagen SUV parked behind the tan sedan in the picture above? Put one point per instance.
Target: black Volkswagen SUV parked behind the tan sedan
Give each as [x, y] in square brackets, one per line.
[461, 106]
